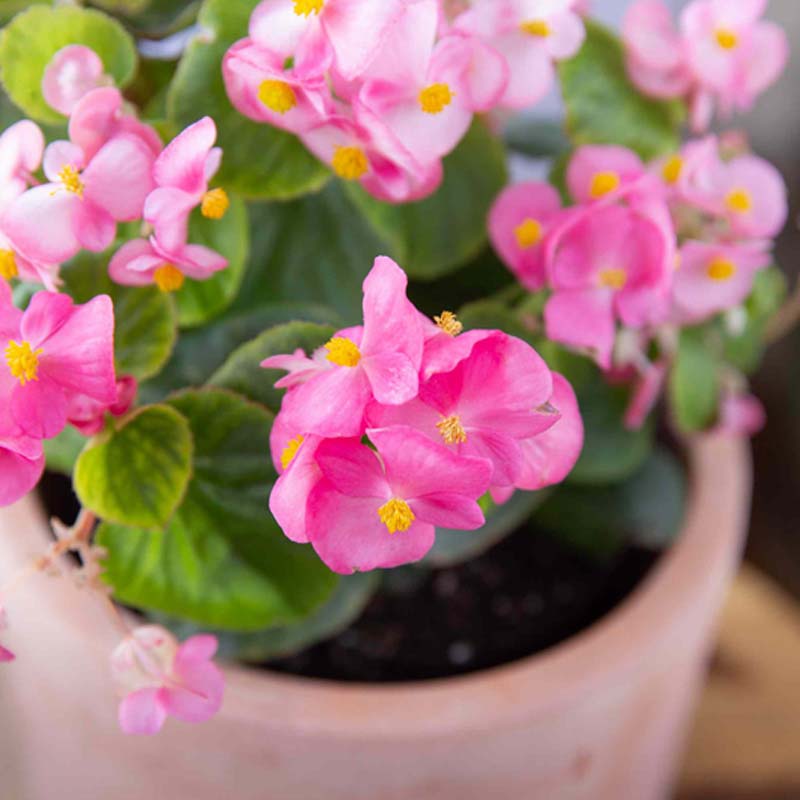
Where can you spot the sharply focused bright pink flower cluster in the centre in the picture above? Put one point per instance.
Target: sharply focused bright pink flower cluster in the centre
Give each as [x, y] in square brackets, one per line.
[447, 417]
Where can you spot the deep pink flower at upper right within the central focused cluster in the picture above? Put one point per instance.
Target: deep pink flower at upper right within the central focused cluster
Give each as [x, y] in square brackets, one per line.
[492, 399]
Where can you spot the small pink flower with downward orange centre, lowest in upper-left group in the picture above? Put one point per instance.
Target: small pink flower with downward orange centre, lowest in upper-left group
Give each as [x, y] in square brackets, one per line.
[142, 262]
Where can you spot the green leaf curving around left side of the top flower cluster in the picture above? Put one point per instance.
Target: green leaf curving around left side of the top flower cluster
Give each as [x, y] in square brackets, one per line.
[259, 161]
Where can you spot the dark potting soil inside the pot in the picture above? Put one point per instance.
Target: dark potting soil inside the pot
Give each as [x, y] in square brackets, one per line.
[524, 595]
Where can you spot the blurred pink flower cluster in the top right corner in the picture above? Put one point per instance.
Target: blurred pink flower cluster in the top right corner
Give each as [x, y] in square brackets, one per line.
[722, 56]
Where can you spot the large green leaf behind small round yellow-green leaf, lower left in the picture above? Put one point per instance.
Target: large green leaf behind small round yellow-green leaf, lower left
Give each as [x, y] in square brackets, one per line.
[222, 561]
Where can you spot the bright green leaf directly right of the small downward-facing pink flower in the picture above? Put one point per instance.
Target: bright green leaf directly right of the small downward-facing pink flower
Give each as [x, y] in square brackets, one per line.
[199, 301]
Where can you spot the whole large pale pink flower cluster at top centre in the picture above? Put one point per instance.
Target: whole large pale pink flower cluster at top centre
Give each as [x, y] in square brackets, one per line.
[382, 91]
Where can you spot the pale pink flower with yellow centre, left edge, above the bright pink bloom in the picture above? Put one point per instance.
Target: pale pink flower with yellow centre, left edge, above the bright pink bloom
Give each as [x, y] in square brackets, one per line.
[84, 200]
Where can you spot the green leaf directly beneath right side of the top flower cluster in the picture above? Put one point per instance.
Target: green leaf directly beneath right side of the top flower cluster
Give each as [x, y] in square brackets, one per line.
[435, 236]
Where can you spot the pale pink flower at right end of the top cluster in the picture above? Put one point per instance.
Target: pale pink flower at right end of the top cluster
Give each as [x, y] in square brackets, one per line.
[531, 35]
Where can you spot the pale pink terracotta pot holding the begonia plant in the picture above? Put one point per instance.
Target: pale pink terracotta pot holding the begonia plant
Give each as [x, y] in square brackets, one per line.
[600, 717]
